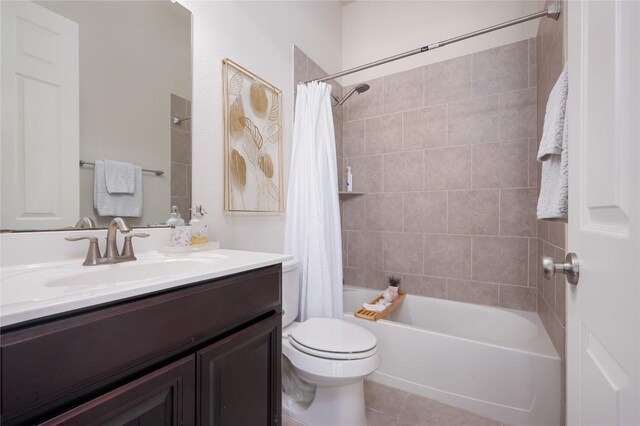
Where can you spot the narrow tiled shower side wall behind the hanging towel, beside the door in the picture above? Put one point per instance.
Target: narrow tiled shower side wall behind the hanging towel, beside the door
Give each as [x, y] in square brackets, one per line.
[551, 235]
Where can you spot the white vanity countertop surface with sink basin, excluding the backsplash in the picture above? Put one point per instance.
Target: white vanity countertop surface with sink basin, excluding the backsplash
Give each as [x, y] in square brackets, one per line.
[29, 292]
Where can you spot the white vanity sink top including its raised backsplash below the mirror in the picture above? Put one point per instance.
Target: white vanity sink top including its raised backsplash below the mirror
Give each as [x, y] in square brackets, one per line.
[49, 285]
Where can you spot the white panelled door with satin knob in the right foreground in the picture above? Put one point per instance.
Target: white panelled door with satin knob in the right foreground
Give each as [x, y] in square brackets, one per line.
[603, 310]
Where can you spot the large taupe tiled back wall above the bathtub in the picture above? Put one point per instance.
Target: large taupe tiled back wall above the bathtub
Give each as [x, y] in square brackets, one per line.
[445, 157]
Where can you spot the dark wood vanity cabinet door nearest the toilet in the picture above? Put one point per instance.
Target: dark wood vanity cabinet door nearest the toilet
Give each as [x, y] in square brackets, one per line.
[240, 380]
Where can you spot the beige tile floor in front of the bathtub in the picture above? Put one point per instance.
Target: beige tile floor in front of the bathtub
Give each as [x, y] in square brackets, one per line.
[388, 406]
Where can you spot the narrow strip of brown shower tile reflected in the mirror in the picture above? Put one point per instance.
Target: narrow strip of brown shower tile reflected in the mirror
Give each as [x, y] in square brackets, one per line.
[181, 157]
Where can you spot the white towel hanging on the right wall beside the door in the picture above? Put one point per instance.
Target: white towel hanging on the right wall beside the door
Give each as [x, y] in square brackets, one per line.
[554, 154]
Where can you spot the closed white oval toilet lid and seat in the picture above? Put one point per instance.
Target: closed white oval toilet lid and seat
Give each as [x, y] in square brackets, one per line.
[333, 338]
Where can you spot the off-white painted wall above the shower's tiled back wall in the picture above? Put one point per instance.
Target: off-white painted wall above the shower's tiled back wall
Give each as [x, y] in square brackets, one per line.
[373, 30]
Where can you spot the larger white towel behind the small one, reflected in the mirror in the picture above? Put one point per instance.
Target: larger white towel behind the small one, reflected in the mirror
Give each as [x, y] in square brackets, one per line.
[106, 204]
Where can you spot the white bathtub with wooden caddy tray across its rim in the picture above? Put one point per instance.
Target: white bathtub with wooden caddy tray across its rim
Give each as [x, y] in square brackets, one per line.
[498, 363]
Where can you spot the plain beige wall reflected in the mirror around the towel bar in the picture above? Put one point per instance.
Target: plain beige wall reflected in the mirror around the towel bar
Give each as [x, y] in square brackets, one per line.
[133, 56]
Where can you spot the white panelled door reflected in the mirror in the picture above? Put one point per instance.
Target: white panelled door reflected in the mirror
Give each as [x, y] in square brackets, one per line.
[40, 118]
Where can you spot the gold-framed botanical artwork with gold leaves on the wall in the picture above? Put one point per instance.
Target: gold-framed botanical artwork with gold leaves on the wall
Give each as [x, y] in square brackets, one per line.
[252, 142]
